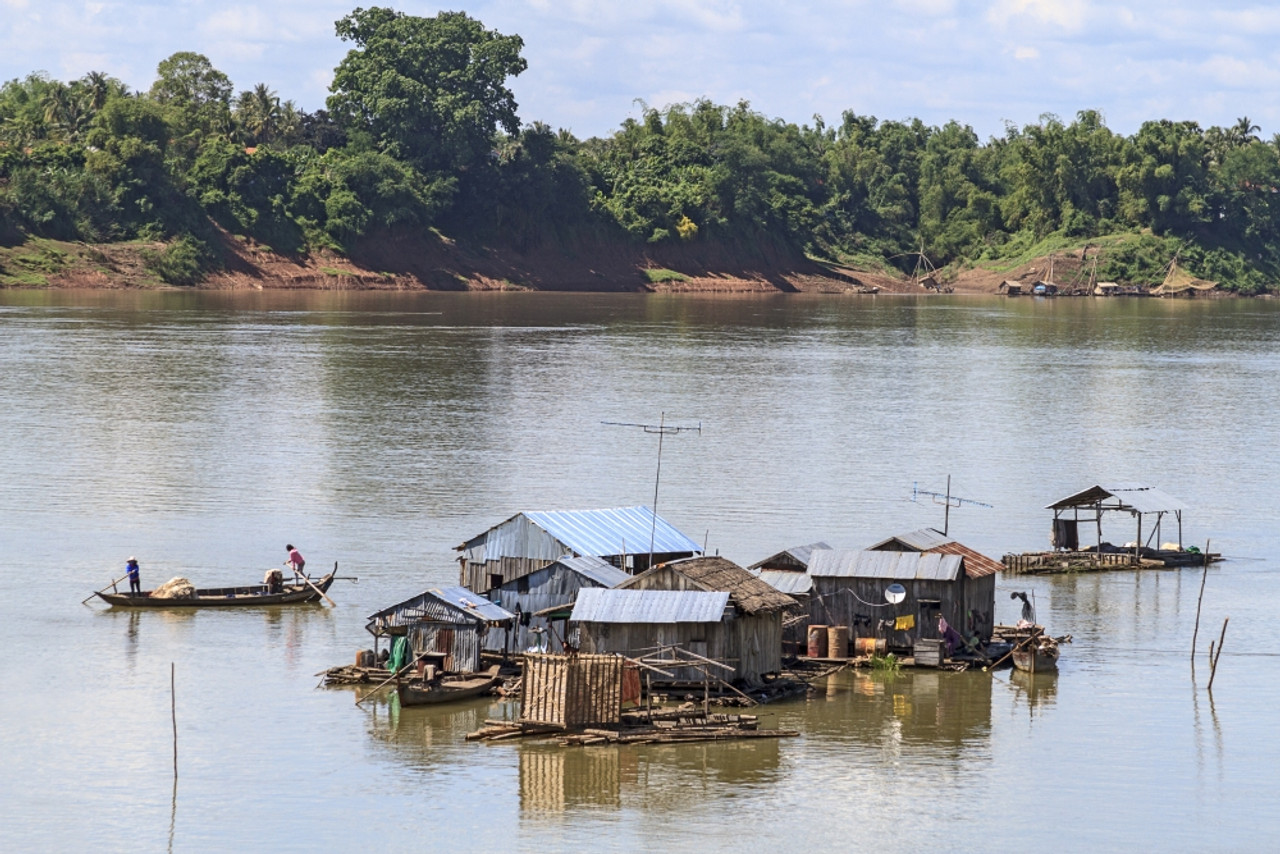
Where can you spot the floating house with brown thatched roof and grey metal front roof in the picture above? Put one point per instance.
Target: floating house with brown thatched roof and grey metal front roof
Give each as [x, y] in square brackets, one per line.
[746, 634]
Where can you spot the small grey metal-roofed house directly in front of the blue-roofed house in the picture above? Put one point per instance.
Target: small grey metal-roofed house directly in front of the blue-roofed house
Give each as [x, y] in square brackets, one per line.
[556, 584]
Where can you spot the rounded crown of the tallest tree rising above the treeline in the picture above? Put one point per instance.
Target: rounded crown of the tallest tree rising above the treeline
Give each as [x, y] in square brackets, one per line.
[429, 92]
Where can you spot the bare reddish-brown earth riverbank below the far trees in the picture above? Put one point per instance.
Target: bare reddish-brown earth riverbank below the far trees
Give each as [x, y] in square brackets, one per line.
[436, 263]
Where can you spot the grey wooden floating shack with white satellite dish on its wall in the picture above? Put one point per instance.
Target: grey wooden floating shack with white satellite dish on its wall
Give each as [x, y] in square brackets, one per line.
[849, 590]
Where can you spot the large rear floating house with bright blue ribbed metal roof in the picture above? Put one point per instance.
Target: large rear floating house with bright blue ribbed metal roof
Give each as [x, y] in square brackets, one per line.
[531, 541]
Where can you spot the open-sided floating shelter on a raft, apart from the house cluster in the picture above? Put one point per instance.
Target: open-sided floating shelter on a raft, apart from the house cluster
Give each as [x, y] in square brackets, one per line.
[1078, 541]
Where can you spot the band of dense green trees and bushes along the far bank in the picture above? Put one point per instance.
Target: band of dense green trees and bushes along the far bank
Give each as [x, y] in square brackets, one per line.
[420, 139]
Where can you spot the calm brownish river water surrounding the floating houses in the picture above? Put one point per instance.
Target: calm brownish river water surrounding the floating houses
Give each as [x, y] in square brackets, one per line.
[202, 432]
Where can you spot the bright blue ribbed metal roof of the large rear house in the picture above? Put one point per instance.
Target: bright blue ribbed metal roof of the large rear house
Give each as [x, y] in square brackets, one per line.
[620, 531]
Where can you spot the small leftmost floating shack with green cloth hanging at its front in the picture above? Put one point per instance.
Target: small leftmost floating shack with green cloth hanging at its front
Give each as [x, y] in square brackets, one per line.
[445, 627]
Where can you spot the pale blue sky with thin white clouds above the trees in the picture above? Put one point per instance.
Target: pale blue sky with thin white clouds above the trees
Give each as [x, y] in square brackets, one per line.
[595, 63]
